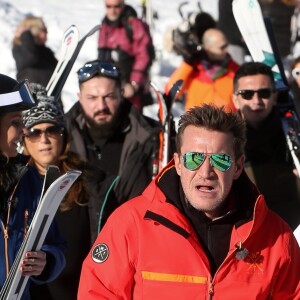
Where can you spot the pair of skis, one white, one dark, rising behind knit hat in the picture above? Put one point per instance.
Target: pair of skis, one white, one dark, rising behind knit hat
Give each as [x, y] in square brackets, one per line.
[70, 49]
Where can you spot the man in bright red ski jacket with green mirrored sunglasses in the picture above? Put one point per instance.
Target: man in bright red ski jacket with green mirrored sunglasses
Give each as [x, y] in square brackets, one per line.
[200, 230]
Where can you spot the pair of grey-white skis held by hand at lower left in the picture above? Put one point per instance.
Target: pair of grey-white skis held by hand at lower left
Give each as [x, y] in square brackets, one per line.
[51, 197]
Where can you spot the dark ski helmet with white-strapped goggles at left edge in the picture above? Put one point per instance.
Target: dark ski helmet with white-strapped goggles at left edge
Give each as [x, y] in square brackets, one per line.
[14, 96]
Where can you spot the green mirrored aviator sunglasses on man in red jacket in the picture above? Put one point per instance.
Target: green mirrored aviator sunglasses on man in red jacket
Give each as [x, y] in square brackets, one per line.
[220, 161]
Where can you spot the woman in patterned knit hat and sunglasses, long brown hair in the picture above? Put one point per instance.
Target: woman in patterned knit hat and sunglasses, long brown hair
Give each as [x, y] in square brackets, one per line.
[47, 142]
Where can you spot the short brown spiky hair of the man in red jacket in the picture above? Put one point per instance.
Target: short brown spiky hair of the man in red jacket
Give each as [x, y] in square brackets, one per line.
[214, 118]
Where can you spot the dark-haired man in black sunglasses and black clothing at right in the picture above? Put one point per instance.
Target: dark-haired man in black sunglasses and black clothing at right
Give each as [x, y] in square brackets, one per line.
[268, 162]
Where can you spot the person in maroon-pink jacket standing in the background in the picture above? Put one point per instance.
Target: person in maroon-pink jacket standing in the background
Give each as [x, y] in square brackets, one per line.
[125, 40]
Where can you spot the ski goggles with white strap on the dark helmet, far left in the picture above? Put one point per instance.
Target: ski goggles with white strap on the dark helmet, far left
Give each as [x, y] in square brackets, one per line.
[20, 99]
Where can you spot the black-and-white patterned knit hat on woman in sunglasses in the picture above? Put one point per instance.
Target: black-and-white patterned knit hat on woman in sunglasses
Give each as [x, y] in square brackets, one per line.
[47, 110]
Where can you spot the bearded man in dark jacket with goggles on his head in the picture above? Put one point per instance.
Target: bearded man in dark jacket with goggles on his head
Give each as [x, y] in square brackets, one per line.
[109, 133]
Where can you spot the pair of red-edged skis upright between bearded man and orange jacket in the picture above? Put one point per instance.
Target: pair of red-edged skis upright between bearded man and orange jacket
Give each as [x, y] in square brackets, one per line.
[165, 103]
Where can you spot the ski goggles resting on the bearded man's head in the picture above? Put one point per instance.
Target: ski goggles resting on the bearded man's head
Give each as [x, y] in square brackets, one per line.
[89, 70]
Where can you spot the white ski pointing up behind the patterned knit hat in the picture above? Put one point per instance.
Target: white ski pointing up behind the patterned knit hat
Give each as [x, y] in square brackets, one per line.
[69, 43]
